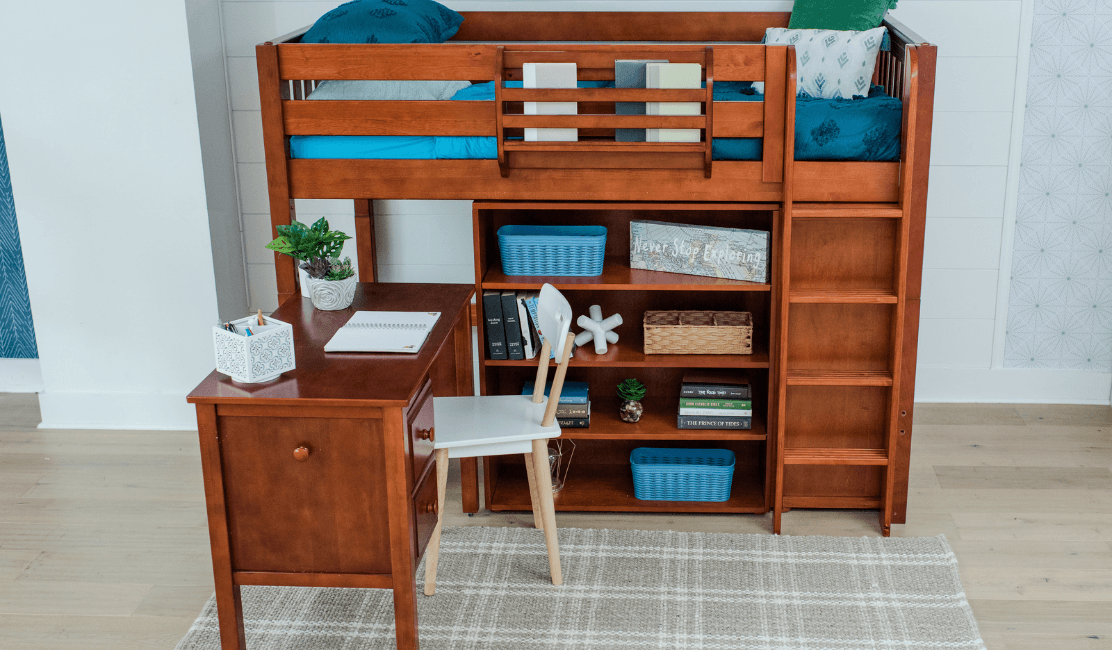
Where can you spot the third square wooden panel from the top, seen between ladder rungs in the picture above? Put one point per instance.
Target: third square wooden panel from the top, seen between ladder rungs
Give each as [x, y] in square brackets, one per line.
[850, 417]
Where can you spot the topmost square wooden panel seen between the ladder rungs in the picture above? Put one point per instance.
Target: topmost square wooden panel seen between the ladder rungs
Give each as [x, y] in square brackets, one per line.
[843, 254]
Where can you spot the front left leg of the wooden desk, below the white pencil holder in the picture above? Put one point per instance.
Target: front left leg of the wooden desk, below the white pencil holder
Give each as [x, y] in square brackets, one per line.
[229, 604]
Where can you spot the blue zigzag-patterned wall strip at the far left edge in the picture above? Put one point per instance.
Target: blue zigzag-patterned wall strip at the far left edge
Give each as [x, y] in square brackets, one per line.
[17, 334]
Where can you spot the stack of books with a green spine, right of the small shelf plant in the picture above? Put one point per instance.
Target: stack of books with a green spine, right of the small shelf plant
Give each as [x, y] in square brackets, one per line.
[714, 401]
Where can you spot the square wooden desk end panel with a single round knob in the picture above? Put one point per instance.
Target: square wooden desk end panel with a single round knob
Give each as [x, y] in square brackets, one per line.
[320, 511]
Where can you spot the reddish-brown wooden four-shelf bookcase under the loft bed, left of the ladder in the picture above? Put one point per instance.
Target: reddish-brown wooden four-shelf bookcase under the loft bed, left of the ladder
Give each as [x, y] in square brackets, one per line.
[600, 477]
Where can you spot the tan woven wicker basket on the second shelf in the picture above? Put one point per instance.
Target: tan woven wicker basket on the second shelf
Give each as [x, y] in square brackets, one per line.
[699, 333]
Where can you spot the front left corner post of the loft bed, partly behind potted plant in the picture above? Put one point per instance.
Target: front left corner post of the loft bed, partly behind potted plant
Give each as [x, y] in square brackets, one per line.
[274, 141]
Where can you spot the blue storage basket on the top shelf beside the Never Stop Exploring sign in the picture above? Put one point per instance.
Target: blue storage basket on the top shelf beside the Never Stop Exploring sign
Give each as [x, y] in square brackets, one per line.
[552, 251]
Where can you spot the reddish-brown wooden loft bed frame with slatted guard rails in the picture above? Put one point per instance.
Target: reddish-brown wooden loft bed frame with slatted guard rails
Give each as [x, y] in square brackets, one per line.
[493, 46]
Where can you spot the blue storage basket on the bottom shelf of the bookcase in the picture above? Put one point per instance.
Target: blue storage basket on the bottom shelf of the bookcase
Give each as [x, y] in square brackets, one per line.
[682, 475]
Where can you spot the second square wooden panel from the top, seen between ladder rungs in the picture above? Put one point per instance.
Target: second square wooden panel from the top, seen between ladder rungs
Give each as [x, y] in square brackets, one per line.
[840, 337]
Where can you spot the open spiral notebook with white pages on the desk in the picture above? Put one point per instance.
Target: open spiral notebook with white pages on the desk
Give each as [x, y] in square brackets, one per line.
[384, 332]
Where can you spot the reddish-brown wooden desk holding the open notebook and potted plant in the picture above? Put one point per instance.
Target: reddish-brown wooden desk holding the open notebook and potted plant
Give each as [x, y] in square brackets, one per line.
[359, 509]
